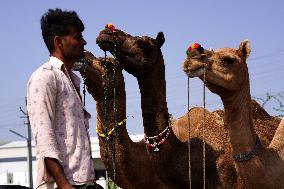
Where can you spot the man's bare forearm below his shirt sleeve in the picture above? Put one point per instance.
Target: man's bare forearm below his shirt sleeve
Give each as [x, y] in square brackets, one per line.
[56, 170]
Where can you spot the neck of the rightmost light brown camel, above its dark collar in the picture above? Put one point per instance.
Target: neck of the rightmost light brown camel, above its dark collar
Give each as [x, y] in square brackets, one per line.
[238, 118]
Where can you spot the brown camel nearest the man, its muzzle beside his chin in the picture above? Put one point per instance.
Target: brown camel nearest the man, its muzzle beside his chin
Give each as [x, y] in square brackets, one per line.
[133, 168]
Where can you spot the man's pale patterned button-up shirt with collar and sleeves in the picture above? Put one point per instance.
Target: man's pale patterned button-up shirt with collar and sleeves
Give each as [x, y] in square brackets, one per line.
[59, 123]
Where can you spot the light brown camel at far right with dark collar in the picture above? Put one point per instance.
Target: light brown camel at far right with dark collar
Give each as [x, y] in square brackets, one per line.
[227, 75]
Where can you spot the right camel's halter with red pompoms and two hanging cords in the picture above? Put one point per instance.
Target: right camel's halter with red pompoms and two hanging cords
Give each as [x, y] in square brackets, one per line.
[200, 49]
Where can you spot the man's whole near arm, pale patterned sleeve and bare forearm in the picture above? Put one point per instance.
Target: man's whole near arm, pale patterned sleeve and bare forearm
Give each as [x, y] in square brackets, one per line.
[42, 93]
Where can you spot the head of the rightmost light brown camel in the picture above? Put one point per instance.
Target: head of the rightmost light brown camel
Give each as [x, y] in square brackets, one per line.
[226, 70]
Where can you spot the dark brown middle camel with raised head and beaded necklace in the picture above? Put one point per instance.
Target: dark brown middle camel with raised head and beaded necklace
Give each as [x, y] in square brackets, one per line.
[142, 57]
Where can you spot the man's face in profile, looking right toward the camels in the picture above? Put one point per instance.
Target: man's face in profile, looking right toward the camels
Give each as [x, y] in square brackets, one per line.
[73, 45]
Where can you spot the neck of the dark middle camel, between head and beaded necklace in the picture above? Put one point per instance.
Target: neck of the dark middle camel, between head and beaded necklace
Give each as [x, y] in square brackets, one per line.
[153, 100]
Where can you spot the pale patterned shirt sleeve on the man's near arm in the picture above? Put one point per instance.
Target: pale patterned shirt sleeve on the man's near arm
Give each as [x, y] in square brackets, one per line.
[41, 97]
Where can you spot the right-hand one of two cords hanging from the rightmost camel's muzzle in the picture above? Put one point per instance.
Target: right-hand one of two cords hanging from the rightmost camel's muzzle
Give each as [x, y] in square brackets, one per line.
[203, 129]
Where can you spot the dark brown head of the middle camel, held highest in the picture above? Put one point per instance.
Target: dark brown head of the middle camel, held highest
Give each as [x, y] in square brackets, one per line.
[137, 55]
